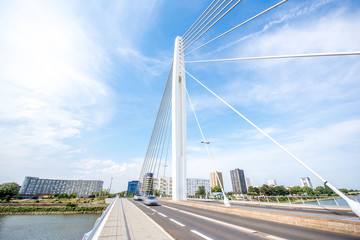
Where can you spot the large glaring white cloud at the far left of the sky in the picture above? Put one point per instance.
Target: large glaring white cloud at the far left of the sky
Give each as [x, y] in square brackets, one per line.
[51, 87]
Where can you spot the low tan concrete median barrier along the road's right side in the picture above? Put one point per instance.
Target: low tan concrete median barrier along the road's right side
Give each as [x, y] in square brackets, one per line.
[325, 224]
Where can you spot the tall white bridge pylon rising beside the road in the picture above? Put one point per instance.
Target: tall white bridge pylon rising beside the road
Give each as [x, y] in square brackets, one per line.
[178, 124]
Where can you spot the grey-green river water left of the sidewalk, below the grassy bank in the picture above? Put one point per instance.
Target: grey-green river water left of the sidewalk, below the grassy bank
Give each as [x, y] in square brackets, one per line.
[41, 227]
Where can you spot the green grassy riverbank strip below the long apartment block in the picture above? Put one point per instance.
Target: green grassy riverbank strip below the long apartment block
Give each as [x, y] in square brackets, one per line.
[53, 206]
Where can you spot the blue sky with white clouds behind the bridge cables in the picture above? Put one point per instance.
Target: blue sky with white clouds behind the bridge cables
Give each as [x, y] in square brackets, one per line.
[81, 82]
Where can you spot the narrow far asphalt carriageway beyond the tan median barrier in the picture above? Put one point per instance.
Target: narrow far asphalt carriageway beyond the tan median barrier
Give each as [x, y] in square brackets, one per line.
[323, 210]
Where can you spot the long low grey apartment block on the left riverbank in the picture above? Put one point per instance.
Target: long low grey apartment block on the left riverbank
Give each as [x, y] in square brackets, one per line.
[37, 186]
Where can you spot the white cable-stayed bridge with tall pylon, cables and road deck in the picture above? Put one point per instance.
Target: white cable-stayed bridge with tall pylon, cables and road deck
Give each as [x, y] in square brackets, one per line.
[168, 145]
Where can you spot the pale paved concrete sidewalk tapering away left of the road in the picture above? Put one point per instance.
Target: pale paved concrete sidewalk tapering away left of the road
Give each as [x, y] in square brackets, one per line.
[125, 221]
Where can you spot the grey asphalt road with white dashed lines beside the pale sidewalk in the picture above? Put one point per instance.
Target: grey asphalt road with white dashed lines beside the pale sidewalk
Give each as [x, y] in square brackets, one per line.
[183, 222]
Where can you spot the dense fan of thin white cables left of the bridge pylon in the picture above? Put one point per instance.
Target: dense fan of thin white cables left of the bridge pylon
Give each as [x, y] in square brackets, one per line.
[160, 135]
